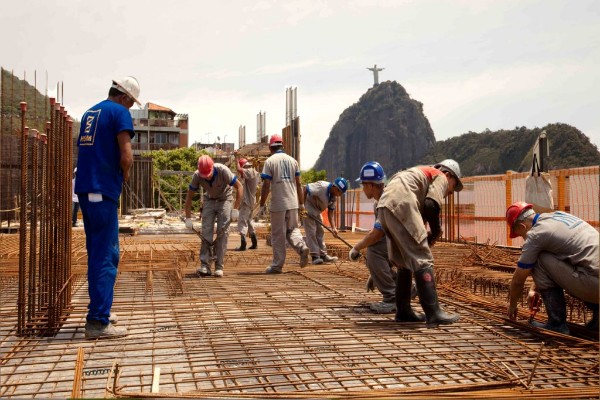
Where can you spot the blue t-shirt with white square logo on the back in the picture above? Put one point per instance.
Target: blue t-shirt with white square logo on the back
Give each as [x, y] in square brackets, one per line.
[98, 163]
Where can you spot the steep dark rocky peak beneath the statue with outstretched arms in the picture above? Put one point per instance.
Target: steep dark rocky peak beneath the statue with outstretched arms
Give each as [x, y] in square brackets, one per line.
[385, 125]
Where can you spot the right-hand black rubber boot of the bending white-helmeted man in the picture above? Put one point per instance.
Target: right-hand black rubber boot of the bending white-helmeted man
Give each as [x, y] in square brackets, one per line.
[434, 314]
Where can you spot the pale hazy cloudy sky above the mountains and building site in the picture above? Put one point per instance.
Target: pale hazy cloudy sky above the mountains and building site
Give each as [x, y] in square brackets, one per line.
[474, 64]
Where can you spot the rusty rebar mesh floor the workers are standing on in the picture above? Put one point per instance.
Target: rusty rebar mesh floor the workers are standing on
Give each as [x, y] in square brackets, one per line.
[304, 333]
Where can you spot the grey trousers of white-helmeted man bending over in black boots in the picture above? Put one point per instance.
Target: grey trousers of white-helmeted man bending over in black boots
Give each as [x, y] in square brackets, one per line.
[403, 249]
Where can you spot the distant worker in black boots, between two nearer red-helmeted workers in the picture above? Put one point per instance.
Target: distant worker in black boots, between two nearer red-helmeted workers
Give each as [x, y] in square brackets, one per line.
[249, 177]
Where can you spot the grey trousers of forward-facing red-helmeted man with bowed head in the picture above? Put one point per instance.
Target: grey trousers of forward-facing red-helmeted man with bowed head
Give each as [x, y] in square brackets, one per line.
[221, 212]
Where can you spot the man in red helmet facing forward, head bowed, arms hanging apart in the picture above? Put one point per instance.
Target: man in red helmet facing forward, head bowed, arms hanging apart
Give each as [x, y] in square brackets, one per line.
[217, 181]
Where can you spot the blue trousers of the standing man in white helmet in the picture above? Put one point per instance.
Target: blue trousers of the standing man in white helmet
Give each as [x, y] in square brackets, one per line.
[101, 226]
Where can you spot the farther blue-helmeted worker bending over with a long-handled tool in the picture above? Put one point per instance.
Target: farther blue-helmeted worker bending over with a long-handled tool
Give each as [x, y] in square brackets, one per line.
[318, 197]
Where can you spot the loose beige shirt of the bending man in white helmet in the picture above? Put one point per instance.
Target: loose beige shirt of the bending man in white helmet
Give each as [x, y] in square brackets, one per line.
[405, 196]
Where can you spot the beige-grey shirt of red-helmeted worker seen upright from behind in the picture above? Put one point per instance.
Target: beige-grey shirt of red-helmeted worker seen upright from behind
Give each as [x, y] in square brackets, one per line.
[282, 169]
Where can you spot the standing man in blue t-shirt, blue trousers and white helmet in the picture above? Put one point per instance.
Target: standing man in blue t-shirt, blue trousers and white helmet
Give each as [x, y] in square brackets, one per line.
[103, 164]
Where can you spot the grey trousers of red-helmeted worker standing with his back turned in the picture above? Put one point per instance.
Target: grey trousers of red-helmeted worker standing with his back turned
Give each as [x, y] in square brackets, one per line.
[284, 227]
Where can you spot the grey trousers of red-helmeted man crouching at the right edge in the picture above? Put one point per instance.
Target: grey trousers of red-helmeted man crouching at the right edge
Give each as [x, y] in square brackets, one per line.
[551, 272]
